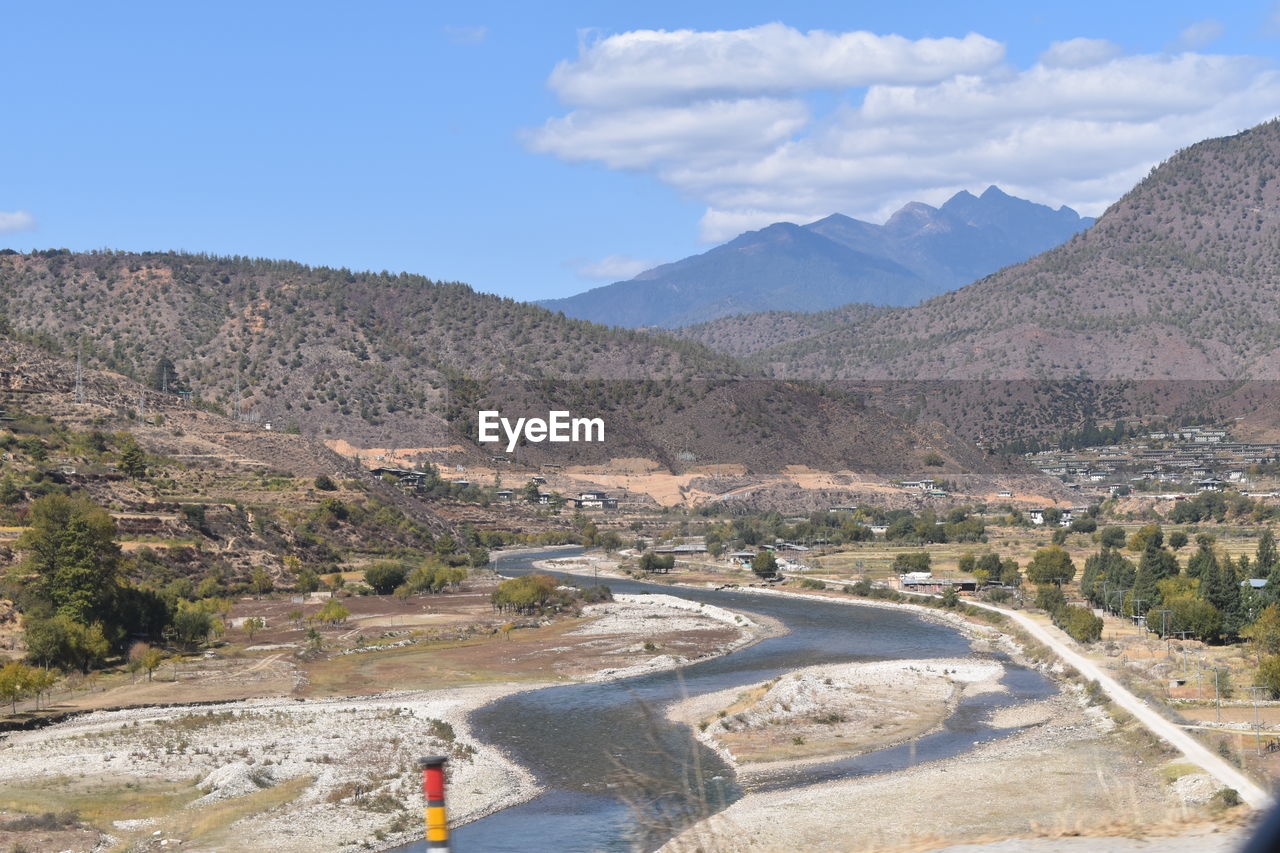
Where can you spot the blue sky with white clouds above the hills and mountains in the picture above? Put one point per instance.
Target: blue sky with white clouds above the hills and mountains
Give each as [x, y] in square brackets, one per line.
[538, 150]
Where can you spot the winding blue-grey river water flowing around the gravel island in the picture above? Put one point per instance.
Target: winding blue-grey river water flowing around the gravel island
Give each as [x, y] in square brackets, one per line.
[612, 765]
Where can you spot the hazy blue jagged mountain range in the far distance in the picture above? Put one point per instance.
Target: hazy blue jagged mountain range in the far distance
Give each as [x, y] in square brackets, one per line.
[920, 253]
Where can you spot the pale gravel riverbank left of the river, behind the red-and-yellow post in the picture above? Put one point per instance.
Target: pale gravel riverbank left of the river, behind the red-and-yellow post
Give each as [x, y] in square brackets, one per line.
[337, 773]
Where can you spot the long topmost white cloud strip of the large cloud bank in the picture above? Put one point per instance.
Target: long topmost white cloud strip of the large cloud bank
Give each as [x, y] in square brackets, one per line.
[656, 66]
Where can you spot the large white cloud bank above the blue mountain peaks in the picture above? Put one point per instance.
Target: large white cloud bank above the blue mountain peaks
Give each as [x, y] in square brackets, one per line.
[723, 120]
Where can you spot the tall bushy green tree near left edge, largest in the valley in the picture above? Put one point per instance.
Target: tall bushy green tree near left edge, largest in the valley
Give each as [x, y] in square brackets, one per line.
[71, 549]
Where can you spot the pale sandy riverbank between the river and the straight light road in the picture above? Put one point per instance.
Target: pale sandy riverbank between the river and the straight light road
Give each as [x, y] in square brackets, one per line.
[1068, 769]
